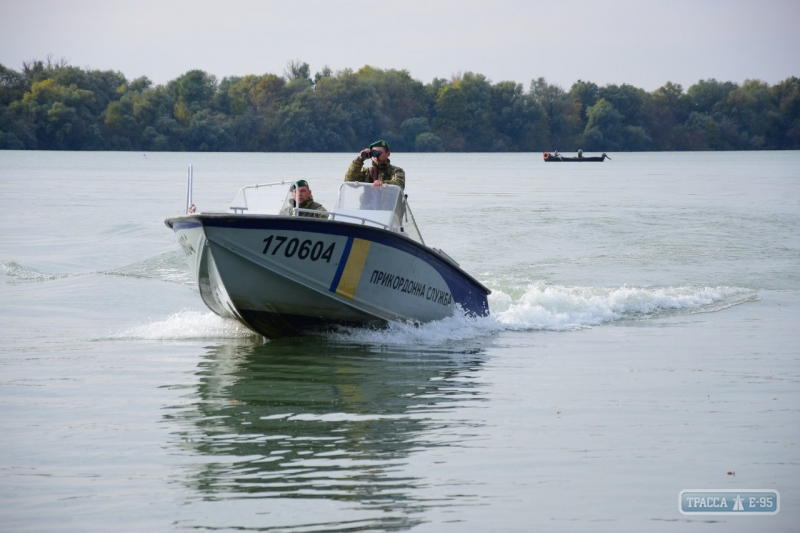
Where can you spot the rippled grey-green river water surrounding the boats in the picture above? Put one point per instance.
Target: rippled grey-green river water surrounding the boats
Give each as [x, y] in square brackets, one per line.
[644, 339]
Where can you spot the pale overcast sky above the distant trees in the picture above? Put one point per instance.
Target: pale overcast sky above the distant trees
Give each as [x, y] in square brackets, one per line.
[644, 43]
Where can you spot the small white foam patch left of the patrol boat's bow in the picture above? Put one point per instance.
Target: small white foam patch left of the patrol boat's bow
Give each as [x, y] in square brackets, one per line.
[187, 325]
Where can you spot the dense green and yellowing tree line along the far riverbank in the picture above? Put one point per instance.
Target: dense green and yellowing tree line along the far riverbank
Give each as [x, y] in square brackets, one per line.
[51, 105]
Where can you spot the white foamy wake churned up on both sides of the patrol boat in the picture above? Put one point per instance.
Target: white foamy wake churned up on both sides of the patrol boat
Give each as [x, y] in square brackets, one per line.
[539, 307]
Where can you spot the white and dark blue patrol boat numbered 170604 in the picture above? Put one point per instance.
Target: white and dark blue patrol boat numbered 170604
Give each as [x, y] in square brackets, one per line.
[289, 272]
